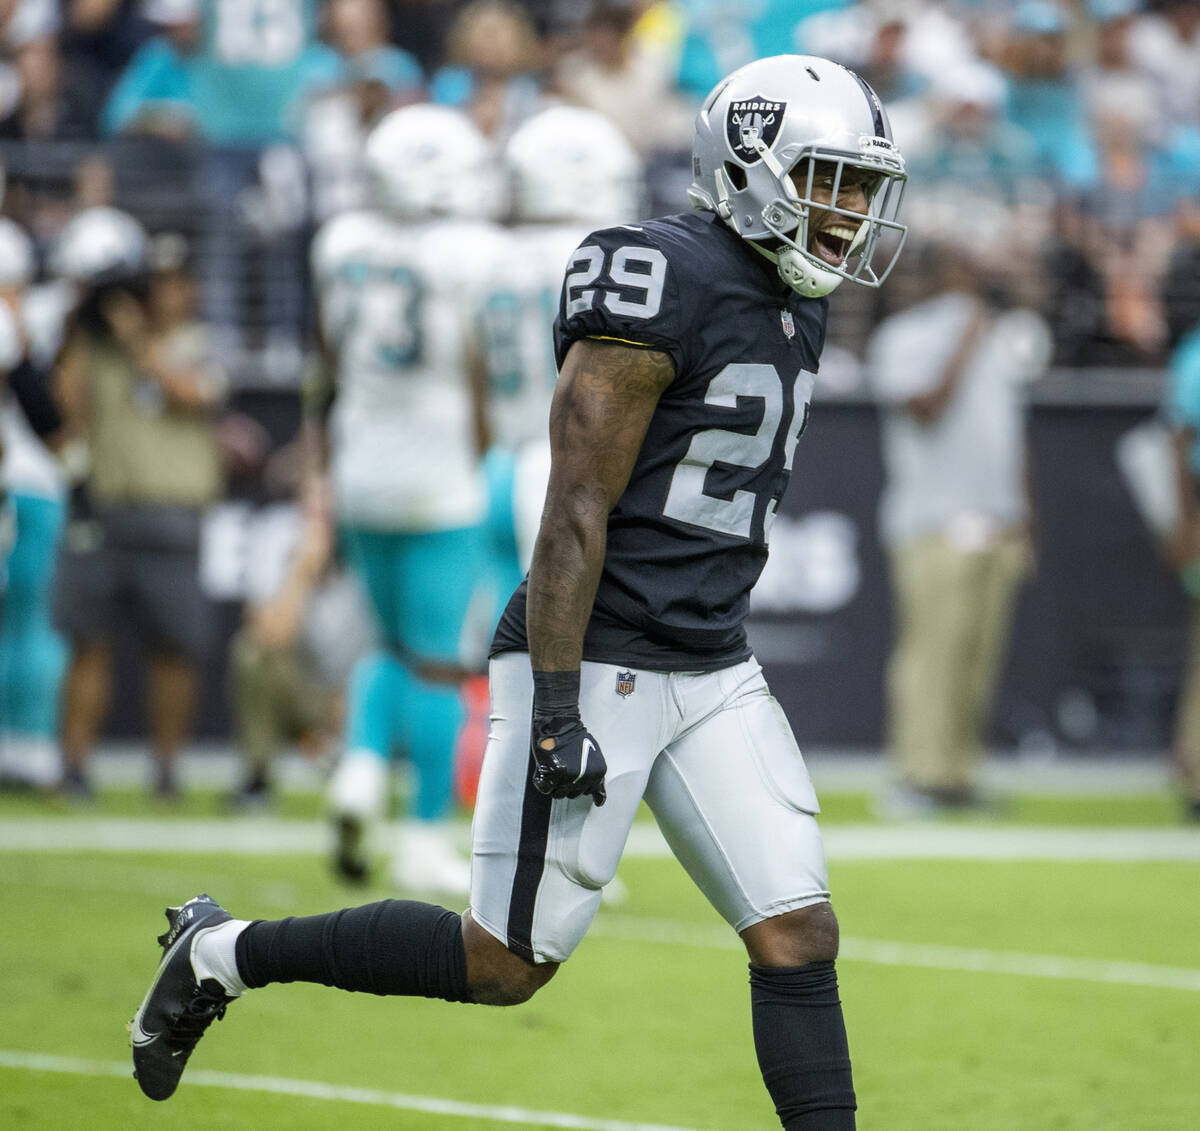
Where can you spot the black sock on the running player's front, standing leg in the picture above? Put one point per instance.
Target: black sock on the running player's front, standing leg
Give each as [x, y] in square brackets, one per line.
[801, 1040]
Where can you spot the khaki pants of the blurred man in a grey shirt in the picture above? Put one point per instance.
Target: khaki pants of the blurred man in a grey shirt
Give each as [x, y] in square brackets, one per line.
[952, 613]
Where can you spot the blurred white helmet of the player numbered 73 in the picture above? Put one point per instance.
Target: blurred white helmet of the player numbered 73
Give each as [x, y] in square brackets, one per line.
[428, 160]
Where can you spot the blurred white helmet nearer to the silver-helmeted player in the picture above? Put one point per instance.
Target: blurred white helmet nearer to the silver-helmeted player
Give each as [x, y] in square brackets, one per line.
[571, 164]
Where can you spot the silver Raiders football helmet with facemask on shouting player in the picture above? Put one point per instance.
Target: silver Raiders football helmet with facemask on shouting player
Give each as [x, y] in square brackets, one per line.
[779, 148]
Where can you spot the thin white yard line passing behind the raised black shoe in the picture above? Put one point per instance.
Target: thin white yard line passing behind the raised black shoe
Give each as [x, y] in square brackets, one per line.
[316, 1091]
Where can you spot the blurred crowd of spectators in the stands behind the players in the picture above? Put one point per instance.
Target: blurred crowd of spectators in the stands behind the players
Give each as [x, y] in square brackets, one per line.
[1060, 139]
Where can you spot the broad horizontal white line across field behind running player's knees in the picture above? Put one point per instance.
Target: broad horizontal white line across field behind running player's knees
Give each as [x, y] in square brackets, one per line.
[266, 836]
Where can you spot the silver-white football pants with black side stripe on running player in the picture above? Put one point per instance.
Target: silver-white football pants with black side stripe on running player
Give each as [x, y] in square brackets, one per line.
[713, 757]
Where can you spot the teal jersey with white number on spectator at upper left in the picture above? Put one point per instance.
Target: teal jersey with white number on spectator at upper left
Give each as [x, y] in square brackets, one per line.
[257, 57]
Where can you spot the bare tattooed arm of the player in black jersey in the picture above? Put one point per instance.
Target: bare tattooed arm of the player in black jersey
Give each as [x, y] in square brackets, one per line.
[603, 406]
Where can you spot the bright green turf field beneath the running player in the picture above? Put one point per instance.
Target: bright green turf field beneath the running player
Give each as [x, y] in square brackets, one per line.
[989, 994]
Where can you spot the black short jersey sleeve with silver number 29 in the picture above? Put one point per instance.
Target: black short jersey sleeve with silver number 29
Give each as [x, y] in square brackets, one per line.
[622, 284]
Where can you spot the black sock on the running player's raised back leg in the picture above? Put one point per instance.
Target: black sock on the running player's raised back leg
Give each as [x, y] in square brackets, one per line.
[397, 947]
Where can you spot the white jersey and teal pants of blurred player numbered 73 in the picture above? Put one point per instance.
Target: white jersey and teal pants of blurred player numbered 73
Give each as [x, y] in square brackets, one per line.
[397, 306]
